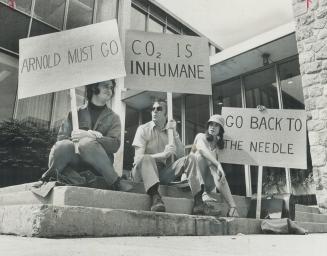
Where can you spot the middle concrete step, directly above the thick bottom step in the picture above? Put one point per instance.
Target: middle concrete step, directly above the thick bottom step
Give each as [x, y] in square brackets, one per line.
[90, 197]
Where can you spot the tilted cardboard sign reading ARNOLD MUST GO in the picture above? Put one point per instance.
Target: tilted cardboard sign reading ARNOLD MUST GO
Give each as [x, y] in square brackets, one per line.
[69, 59]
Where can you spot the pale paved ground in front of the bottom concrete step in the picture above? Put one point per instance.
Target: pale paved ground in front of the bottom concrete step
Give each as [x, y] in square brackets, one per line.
[261, 245]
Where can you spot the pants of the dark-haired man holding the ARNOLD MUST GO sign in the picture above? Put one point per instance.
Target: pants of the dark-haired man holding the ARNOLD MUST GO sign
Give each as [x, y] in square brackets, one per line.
[91, 153]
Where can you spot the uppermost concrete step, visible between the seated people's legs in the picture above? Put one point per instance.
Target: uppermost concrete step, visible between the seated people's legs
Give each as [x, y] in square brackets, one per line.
[166, 191]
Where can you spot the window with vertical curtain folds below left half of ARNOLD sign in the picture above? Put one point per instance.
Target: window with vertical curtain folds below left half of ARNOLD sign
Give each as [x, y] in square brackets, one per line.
[36, 110]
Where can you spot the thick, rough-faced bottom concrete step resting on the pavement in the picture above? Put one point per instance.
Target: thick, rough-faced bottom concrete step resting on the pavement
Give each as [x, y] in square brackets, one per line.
[73, 221]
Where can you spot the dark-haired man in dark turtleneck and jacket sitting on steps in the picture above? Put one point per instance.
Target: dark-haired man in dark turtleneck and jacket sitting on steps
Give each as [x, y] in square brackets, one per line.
[98, 138]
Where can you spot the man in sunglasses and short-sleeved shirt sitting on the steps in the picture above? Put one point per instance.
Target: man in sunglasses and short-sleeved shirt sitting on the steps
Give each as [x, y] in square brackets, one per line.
[153, 160]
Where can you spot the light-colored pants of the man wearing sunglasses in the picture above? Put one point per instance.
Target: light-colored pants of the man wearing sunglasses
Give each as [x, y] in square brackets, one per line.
[149, 172]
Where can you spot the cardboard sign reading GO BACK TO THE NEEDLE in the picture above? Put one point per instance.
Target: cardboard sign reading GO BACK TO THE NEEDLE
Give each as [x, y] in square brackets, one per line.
[268, 138]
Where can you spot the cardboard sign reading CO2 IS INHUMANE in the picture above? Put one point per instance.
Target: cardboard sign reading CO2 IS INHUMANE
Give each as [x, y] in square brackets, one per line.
[167, 63]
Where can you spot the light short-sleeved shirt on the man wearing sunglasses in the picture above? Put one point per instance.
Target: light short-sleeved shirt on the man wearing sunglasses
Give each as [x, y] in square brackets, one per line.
[151, 138]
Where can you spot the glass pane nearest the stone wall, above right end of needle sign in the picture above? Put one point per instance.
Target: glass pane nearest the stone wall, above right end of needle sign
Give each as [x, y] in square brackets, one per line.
[291, 85]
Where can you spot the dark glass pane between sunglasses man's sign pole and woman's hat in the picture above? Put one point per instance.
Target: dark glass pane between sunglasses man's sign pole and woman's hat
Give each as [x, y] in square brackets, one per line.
[196, 116]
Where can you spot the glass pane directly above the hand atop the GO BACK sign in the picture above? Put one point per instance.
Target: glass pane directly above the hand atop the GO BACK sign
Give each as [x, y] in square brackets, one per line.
[261, 89]
